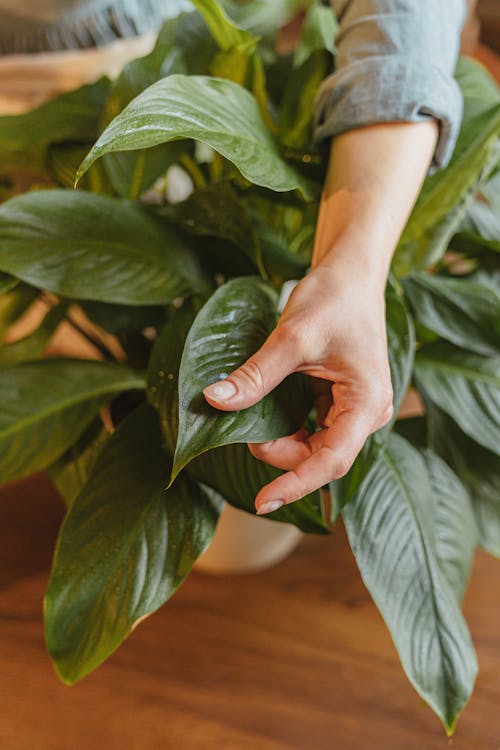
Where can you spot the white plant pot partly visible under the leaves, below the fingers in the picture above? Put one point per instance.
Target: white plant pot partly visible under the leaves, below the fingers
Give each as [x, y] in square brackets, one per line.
[245, 544]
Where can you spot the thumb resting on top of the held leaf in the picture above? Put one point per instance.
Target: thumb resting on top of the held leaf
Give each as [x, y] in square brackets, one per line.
[247, 385]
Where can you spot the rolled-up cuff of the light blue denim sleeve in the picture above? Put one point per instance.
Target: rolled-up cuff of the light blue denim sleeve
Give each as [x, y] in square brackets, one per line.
[390, 89]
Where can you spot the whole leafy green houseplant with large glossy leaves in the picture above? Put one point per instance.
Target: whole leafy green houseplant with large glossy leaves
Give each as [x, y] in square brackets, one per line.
[189, 290]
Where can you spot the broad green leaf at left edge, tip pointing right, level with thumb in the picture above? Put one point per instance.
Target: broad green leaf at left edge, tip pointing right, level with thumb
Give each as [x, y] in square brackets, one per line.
[47, 405]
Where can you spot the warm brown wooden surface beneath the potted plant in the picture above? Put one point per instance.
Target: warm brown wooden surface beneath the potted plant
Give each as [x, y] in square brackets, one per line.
[294, 658]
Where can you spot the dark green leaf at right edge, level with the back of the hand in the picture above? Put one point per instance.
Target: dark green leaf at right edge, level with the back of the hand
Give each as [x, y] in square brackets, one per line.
[459, 310]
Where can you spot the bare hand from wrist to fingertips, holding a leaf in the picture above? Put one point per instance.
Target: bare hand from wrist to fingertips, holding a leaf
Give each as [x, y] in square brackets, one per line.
[332, 329]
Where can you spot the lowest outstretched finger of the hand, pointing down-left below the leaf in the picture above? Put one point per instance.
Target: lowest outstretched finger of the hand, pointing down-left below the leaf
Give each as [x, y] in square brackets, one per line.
[331, 455]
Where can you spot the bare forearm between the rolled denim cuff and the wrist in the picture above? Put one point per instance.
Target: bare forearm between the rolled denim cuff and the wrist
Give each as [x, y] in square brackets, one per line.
[374, 177]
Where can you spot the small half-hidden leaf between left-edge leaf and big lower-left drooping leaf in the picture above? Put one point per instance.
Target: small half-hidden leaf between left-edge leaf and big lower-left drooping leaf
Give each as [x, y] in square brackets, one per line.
[70, 472]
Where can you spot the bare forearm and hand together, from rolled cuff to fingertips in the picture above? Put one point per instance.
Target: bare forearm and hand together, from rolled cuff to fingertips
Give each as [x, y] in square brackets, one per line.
[333, 327]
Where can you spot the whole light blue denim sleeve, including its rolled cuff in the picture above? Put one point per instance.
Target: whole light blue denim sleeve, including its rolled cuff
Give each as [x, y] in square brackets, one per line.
[394, 63]
